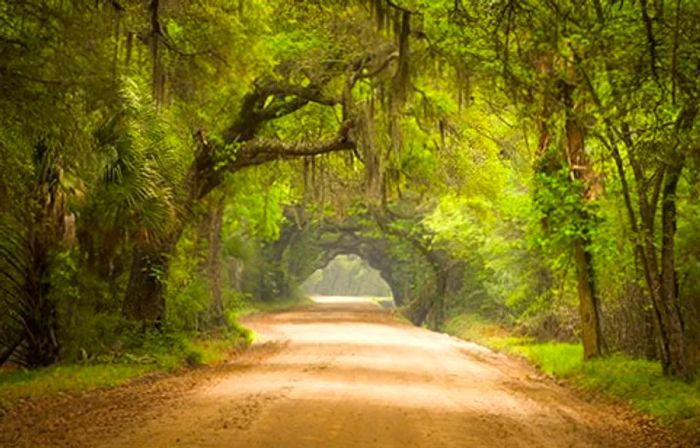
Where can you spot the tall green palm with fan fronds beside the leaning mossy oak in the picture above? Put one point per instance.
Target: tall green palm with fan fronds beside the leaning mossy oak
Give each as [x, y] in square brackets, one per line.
[141, 165]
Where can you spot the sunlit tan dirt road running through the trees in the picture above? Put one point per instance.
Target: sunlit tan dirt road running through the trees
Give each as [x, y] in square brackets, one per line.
[337, 374]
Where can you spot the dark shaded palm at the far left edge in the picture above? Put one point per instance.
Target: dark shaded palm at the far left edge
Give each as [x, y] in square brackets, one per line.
[29, 241]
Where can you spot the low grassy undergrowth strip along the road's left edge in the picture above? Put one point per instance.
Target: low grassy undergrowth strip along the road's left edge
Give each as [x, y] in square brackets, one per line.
[138, 354]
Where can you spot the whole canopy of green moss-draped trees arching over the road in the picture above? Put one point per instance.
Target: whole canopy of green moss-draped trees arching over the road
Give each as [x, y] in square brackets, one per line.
[163, 162]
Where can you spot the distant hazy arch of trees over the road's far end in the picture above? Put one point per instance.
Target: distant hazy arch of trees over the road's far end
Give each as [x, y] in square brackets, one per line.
[420, 275]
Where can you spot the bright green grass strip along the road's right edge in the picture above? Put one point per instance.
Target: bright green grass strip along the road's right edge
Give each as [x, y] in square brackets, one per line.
[638, 382]
